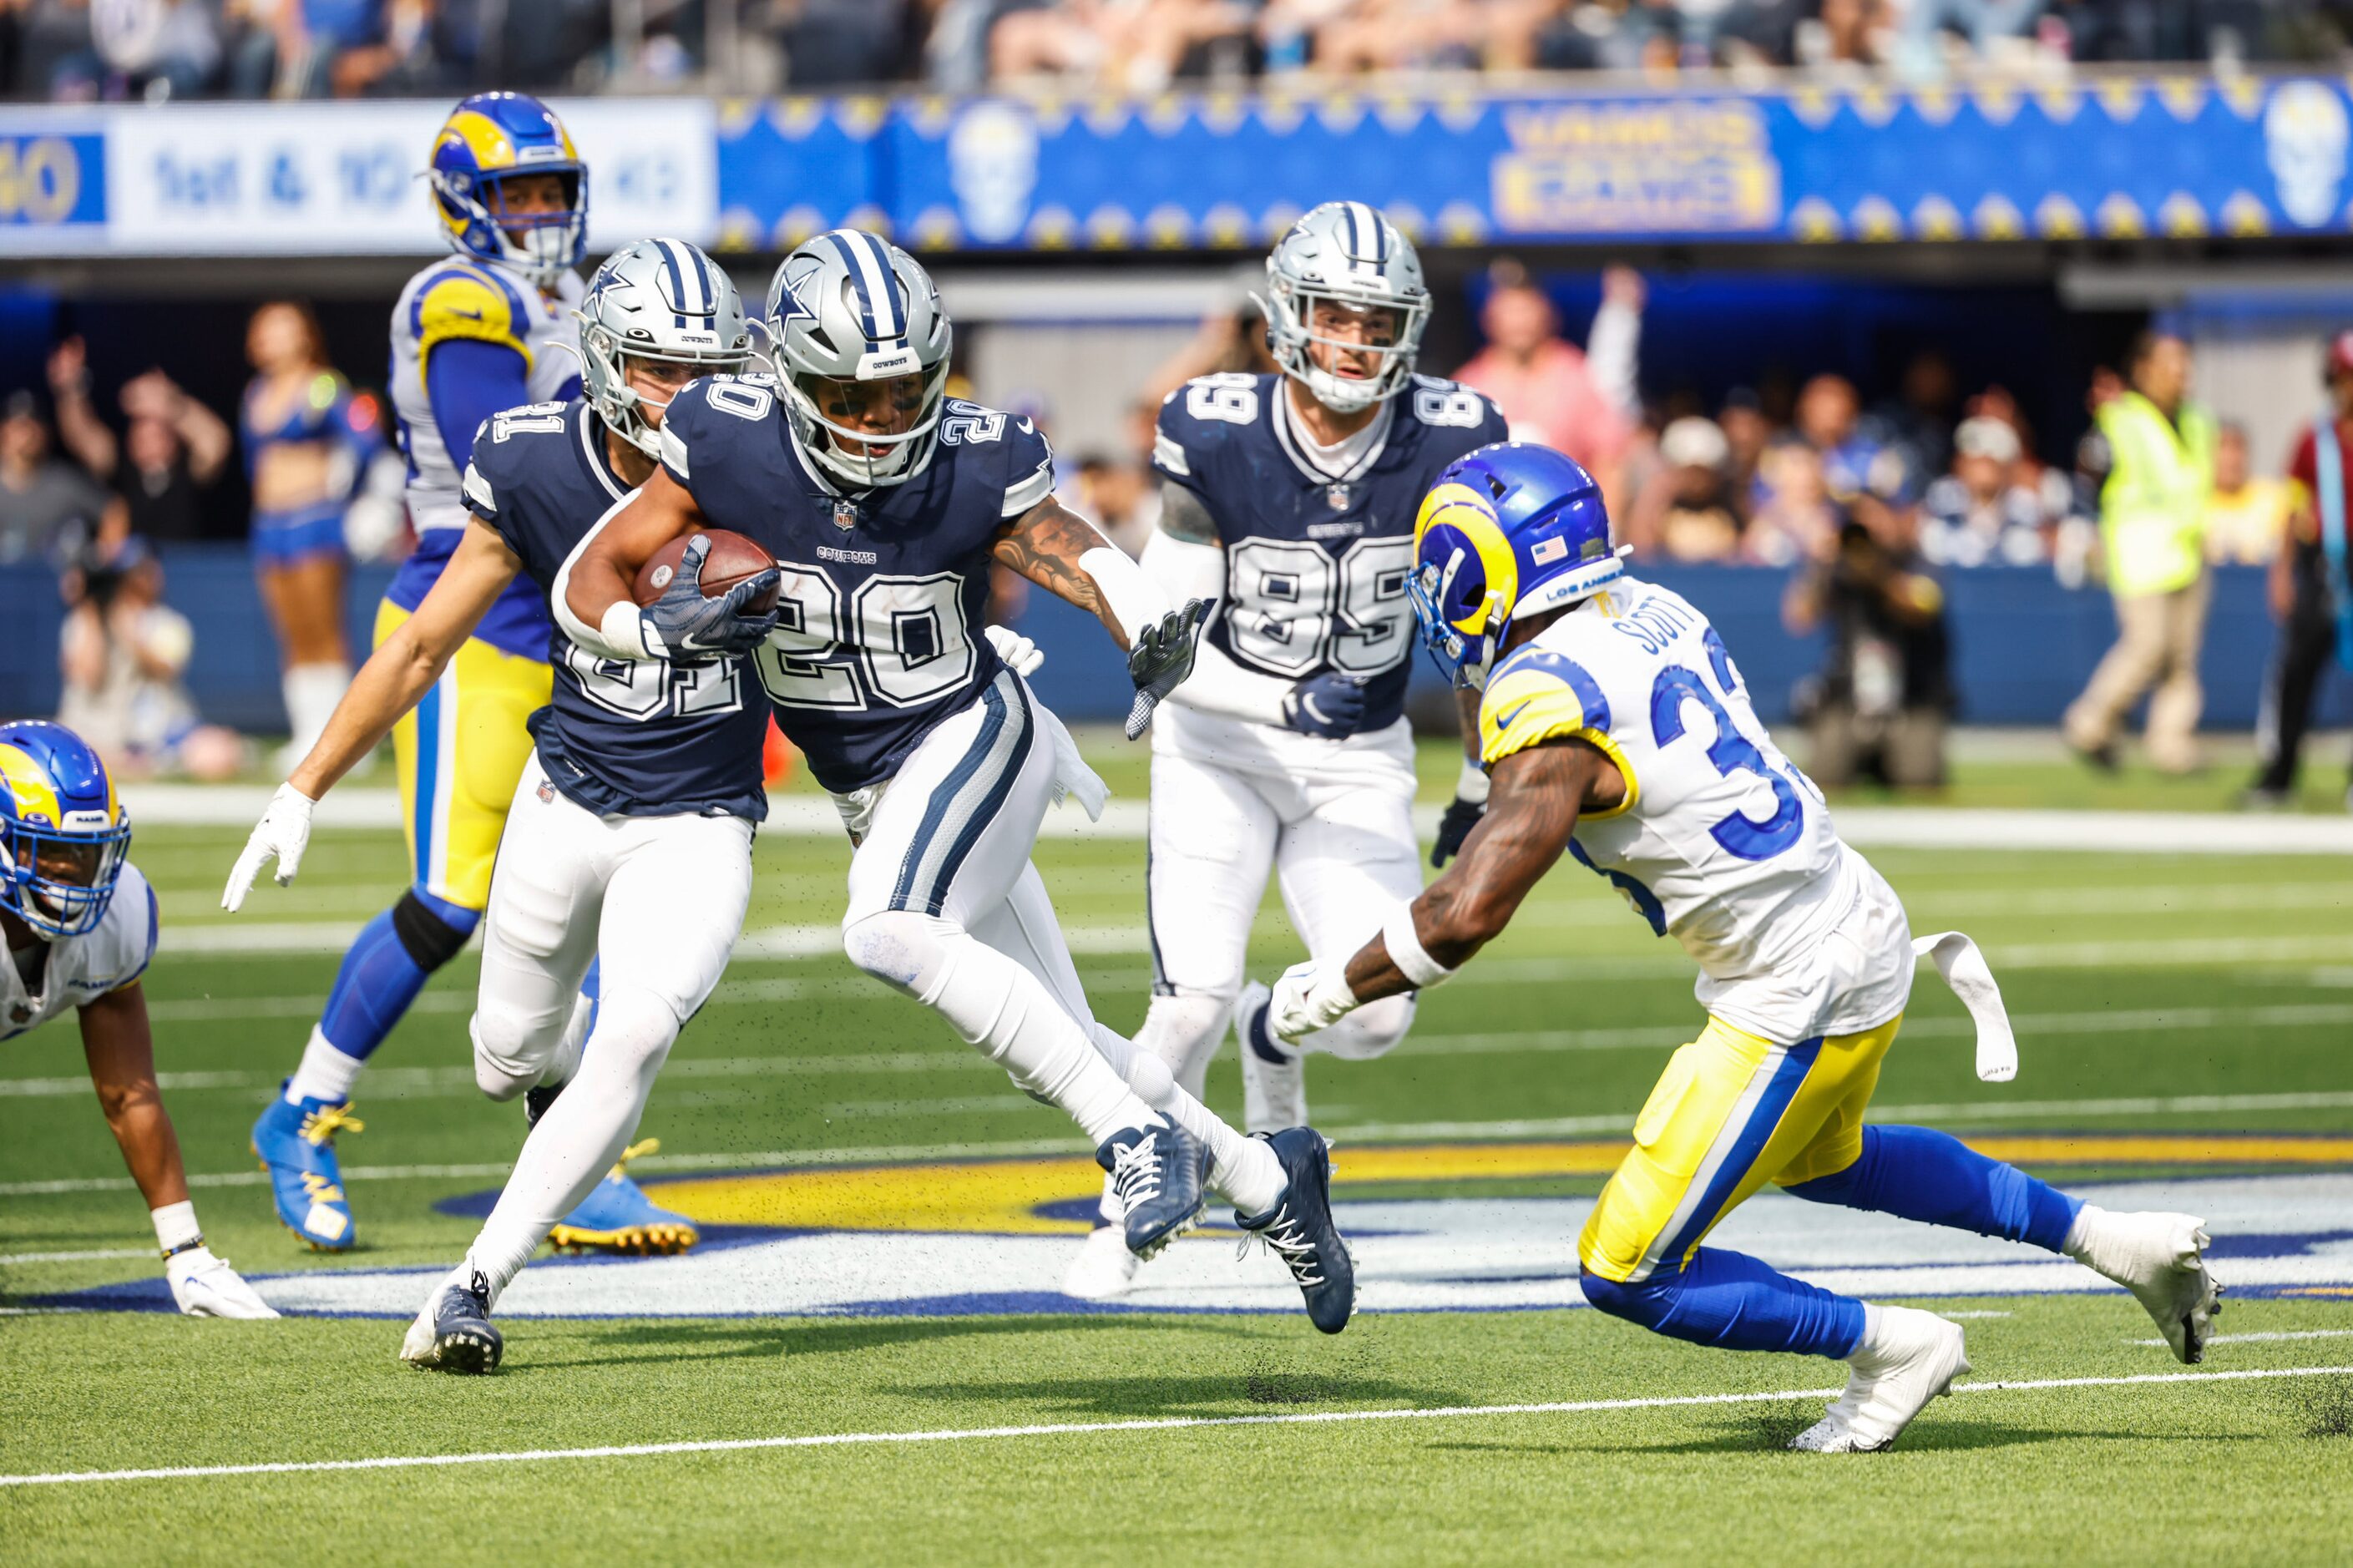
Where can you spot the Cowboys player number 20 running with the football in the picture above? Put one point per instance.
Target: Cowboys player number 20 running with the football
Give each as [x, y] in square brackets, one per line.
[886, 505]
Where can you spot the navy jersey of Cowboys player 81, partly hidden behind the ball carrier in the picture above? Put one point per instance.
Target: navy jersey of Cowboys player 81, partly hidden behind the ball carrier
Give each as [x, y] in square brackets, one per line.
[620, 738]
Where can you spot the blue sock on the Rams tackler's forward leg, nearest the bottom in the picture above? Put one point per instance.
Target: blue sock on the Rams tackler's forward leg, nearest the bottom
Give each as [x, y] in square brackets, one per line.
[1733, 1301]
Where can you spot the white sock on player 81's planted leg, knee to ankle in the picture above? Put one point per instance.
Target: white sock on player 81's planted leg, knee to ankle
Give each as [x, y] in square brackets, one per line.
[580, 1138]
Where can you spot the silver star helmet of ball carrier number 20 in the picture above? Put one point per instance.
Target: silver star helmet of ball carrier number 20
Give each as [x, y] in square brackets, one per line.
[851, 307]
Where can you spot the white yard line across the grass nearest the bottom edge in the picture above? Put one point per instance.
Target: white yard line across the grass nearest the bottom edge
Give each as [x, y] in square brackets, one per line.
[1161, 1423]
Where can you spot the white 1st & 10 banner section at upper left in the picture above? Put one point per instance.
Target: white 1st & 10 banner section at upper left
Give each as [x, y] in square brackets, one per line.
[281, 180]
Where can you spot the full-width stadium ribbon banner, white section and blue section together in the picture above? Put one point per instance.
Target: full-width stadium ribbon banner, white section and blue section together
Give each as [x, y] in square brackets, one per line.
[2178, 157]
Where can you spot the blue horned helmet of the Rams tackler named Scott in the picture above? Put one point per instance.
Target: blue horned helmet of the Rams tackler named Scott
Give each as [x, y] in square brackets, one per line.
[1507, 531]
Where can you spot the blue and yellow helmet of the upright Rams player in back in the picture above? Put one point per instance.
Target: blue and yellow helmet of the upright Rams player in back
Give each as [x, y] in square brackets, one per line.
[495, 138]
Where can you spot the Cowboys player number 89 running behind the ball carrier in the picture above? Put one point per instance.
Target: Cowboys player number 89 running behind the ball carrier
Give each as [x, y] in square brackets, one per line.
[1291, 500]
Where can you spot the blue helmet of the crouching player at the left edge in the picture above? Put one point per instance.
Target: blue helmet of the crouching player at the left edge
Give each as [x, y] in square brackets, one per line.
[62, 830]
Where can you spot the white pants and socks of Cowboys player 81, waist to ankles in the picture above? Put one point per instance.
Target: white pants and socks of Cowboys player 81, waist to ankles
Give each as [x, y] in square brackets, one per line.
[662, 901]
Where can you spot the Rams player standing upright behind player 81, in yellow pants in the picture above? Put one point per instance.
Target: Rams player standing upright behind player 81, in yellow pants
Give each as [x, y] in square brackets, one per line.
[476, 333]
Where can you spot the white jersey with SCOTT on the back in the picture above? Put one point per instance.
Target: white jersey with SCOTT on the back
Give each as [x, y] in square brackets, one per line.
[1721, 839]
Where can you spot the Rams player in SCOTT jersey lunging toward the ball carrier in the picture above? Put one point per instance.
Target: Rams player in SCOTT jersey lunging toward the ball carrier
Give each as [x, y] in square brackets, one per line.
[1618, 729]
